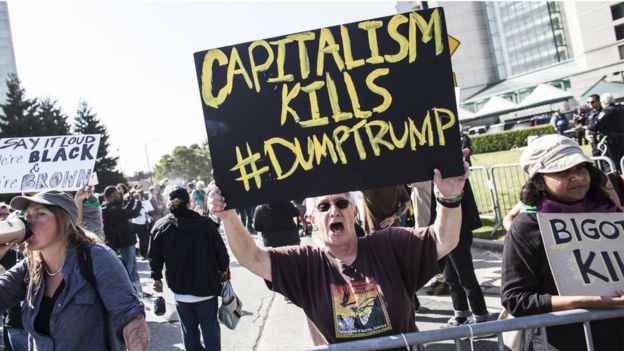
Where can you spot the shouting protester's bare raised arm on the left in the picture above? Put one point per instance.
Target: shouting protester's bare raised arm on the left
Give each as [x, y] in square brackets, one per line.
[249, 255]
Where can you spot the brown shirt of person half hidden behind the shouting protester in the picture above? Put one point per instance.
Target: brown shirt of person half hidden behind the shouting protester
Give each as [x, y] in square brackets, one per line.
[382, 203]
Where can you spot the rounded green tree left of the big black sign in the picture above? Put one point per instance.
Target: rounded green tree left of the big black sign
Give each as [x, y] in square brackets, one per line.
[187, 163]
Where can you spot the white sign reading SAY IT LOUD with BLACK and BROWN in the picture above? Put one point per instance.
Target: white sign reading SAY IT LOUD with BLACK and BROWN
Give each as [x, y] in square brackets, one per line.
[33, 164]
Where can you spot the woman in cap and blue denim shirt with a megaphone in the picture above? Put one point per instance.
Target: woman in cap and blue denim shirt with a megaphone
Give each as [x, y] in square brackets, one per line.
[61, 309]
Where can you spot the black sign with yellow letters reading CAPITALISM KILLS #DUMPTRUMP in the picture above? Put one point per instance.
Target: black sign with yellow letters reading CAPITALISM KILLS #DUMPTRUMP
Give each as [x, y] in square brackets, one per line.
[355, 106]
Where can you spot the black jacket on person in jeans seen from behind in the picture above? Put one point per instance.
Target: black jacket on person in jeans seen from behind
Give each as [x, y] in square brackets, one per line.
[193, 252]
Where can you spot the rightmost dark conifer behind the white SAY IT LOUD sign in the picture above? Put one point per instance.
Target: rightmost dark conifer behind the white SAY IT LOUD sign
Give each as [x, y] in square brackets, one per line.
[86, 122]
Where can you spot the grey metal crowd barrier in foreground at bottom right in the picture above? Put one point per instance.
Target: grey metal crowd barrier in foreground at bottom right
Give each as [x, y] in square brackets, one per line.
[540, 321]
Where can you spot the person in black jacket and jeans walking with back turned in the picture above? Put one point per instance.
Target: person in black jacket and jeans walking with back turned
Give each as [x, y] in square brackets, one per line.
[197, 261]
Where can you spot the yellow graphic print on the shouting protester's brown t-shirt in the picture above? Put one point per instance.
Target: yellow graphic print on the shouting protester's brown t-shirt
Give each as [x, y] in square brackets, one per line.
[359, 309]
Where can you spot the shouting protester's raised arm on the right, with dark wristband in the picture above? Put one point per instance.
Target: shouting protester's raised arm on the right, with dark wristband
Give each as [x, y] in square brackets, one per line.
[448, 221]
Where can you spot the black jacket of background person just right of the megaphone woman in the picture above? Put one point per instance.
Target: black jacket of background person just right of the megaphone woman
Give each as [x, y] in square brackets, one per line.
[117, 226]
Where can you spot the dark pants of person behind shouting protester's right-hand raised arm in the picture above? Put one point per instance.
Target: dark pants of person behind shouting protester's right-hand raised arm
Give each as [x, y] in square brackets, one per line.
[460, 276]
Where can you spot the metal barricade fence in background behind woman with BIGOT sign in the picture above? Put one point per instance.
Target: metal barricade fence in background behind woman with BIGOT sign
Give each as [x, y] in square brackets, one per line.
[497, 190]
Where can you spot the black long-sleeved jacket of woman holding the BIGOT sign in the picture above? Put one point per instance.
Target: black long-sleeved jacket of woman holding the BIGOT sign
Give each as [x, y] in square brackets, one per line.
[527, 287]
